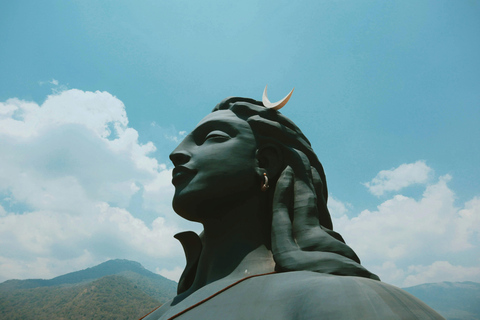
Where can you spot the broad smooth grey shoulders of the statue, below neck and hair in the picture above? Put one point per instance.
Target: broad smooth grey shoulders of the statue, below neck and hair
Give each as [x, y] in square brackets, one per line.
[298, 295]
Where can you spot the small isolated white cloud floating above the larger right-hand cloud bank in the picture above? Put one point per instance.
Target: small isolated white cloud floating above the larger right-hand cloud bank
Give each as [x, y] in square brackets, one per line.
[398, 178]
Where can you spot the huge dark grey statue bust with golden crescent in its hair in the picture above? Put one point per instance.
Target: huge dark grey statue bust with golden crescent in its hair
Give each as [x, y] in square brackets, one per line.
[268, 251]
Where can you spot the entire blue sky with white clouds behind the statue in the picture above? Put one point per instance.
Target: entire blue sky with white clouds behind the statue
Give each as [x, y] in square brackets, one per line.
[95, 94]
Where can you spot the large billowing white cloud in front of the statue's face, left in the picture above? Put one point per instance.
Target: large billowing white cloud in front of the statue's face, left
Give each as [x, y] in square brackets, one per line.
[69, 170]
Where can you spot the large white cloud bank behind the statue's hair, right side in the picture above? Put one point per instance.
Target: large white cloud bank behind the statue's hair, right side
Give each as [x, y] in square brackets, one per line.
[405, 240]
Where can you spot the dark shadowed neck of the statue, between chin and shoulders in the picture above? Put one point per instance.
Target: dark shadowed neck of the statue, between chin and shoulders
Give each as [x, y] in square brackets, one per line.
[234, 246]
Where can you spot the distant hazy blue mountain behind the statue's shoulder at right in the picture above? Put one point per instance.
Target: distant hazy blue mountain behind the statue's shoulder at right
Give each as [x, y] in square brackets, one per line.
[453, 300]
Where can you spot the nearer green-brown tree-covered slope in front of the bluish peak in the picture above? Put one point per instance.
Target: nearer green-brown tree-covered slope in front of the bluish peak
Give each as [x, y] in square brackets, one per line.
[110, 297]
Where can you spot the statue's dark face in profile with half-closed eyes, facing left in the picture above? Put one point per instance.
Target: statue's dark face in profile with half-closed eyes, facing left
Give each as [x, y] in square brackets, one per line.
[214, 167]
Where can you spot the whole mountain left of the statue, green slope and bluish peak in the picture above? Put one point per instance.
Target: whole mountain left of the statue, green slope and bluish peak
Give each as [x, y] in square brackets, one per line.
[116, 289]
